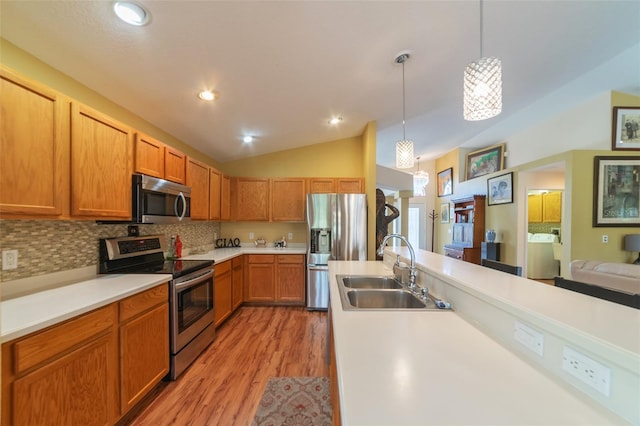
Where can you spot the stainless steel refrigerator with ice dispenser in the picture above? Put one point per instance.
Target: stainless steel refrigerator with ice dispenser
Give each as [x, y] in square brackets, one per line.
[336, 230]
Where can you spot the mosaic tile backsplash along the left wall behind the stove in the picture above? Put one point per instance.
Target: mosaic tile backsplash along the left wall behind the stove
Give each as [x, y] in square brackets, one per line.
[51, 246]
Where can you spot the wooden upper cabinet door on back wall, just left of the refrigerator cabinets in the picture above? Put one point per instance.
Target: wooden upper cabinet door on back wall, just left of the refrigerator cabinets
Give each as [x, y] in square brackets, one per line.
[287, 199]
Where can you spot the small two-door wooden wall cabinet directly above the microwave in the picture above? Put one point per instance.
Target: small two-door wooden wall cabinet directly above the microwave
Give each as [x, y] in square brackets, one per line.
[154, 158]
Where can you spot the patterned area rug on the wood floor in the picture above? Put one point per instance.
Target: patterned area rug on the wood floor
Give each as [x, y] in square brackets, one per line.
[295, 401]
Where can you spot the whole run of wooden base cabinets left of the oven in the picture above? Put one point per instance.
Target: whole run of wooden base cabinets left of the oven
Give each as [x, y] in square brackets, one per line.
[67, 374]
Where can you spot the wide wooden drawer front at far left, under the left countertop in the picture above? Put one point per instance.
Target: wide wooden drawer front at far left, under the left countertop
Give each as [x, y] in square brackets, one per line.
[44, 345]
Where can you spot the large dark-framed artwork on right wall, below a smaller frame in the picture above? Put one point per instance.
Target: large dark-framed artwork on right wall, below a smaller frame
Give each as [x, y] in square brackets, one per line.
[616, 191]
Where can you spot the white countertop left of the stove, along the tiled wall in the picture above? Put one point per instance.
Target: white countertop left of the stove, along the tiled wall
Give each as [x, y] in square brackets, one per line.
[26, 314]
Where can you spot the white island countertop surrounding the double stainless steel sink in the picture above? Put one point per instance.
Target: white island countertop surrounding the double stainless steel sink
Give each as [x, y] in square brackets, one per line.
[435, 368]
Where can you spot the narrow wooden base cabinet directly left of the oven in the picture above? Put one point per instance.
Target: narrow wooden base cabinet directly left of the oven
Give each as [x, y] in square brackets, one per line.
[144, 344]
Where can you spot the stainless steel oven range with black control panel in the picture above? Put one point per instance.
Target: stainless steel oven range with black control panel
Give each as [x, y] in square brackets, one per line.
[191, 307]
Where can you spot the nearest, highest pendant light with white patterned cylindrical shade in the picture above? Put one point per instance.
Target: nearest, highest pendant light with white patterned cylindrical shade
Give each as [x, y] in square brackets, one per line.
[482, 86]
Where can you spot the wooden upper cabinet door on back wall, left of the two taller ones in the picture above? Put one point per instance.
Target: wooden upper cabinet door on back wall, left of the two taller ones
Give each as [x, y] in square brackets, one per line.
[251, 196]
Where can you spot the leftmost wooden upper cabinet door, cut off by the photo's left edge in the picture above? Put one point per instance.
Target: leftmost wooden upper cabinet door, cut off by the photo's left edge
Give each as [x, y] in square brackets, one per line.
[34, 142]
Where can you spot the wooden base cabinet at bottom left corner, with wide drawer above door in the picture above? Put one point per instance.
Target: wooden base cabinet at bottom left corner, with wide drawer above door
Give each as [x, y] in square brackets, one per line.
[65, 374]
